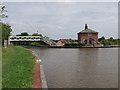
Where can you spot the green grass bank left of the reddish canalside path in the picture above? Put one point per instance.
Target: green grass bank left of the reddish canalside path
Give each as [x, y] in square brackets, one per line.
[17, 67]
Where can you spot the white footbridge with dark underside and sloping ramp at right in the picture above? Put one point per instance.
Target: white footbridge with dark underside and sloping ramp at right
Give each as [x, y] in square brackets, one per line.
[31, 39]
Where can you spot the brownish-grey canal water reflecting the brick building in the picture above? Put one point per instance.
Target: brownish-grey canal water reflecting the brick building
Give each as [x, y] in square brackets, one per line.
[80, 67]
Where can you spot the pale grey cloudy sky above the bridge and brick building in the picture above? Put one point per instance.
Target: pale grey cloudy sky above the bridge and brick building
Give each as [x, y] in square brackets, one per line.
[63, 19]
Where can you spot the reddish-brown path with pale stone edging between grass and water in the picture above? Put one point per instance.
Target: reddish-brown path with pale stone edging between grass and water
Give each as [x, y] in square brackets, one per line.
[39, 77]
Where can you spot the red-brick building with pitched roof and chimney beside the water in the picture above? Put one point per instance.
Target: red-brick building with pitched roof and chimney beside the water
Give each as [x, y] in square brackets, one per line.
[88, 36]
